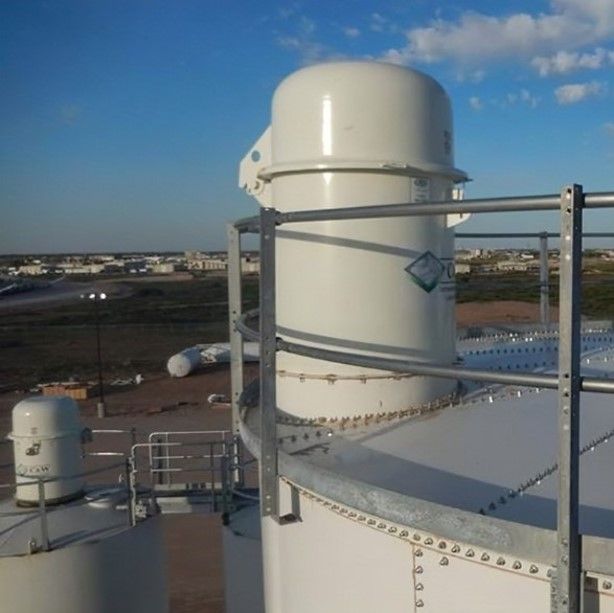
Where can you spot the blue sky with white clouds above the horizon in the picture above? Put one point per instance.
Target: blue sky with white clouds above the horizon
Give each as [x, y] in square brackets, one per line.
[123, 122]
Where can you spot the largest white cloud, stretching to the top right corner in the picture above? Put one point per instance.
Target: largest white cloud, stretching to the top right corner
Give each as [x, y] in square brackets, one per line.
[480, 38]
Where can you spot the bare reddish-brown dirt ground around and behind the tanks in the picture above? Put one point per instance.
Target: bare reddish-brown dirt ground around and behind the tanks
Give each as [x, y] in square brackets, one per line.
[194, 547]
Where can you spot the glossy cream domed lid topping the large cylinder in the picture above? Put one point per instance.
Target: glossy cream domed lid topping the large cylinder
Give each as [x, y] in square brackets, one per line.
[361, 115]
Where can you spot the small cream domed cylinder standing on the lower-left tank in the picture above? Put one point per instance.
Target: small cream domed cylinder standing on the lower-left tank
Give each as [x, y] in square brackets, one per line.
[47, 435]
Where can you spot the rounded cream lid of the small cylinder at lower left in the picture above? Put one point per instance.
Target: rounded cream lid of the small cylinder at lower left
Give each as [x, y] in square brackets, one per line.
[46, 416]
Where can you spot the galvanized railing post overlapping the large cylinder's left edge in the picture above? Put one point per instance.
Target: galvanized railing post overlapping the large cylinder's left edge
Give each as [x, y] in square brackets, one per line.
[268, 347]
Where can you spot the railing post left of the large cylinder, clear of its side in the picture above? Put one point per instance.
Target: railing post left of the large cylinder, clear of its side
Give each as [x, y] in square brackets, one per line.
[234, 313]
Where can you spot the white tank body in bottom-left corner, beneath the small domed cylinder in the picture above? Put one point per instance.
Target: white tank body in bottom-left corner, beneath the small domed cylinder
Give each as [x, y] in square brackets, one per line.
[97, 564]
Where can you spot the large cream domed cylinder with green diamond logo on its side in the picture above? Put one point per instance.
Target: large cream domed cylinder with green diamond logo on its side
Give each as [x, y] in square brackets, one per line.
[345, 135]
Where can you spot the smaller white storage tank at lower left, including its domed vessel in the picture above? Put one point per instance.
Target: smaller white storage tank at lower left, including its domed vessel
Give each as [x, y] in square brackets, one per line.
[84, 554]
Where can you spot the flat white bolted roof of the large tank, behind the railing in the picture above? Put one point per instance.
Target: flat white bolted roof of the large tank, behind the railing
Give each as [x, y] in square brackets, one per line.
[491, 451]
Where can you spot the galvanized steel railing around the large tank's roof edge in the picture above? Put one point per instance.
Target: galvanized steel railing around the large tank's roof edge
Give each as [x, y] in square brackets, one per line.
[566, 581]
